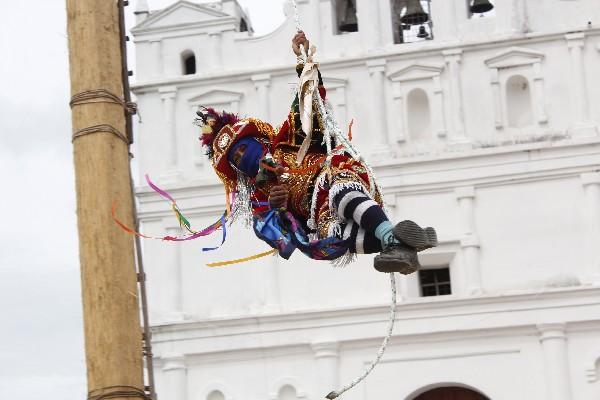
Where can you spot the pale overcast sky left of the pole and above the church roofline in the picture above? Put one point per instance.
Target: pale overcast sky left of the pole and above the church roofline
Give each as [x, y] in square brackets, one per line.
[41, 328]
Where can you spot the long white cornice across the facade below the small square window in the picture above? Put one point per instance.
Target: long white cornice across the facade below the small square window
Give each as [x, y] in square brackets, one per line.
[423, 321]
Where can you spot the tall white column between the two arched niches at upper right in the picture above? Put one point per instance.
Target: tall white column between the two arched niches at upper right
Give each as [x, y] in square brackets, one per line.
[453, 59]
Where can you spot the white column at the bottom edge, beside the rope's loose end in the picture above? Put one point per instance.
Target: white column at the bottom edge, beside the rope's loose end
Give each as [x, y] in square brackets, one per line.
[327, 363]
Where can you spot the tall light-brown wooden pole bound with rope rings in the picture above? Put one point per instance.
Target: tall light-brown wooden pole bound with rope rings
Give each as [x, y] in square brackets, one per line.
[108, 275]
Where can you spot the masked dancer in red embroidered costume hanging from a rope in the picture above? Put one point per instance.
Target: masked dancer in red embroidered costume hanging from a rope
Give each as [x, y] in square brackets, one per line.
[300, 193]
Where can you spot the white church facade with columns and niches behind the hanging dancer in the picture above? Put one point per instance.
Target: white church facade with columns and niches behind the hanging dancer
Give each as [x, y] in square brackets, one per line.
[486, 127]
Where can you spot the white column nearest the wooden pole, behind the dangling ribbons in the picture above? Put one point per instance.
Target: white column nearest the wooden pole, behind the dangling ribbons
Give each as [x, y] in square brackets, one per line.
[173, 291]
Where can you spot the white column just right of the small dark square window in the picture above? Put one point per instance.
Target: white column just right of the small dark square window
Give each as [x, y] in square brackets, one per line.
[470, 241]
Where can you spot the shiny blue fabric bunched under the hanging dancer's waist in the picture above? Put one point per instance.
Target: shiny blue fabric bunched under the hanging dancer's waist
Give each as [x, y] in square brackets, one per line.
[283, 232]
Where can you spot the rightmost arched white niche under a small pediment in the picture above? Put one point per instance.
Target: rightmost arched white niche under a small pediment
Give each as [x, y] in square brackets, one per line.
[518, 102]
